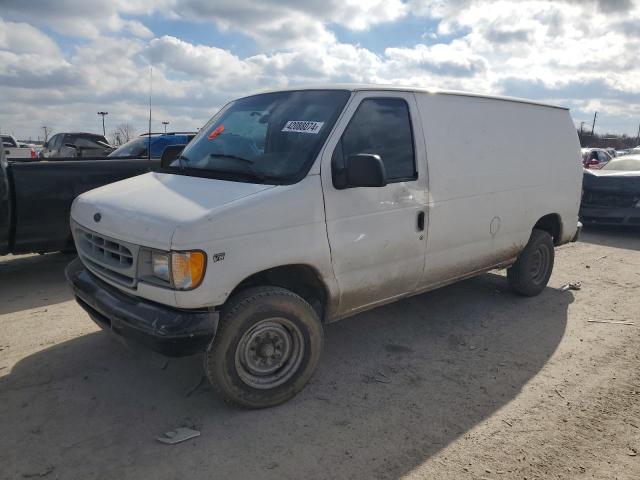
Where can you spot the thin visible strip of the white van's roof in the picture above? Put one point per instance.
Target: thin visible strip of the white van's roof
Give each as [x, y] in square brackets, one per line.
[399, 88]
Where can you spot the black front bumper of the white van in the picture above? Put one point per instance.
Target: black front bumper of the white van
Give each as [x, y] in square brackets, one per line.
[166, 330]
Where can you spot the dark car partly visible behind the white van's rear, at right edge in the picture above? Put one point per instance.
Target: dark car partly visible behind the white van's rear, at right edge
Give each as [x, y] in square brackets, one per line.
[611, 195]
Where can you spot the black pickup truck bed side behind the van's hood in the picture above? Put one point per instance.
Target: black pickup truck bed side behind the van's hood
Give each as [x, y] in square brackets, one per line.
[36, 197]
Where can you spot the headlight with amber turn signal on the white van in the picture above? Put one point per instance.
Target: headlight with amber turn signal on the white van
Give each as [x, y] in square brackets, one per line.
[182, 270]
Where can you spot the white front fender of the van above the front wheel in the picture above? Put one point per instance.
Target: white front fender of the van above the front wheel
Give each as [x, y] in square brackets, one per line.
[281, 226]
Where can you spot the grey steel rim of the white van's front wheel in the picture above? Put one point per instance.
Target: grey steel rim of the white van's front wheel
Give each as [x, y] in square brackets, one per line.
[269, 353]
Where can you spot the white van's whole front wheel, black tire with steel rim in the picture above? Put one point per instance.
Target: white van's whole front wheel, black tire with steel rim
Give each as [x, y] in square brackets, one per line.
[266, 348]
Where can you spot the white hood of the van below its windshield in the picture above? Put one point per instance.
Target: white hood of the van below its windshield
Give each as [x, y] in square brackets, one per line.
[146, 209]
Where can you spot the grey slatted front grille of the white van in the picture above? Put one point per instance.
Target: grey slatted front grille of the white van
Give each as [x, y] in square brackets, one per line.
[107, 257]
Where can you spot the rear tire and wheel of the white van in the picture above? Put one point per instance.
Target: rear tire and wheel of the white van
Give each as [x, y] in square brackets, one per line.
[530, 273]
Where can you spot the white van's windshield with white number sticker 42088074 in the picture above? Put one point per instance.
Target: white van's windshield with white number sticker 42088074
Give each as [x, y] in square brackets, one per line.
[269, 138]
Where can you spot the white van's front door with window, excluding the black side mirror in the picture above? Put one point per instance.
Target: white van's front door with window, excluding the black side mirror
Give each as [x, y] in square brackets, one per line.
[377, 235]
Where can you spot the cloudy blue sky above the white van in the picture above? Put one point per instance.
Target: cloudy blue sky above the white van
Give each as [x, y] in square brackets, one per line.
[62, 62]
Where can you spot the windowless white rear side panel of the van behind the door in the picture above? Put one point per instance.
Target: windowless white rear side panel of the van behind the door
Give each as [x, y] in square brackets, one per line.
[488, 185]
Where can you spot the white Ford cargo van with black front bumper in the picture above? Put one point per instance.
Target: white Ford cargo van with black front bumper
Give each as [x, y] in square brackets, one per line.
[294, 208]
